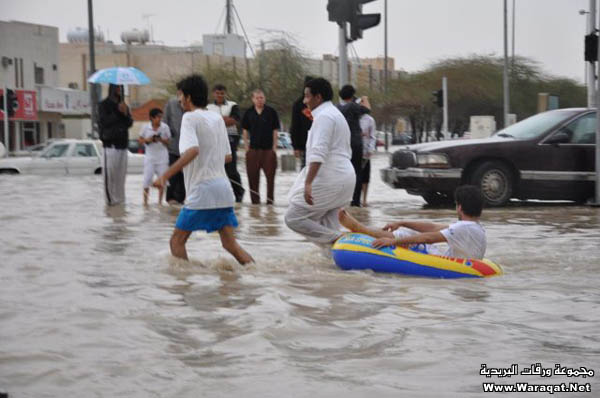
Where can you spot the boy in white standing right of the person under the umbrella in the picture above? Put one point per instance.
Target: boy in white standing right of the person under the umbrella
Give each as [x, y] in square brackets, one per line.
[155, 137]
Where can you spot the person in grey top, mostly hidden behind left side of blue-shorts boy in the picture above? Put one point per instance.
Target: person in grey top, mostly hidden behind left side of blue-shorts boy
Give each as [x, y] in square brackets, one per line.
[172, 117]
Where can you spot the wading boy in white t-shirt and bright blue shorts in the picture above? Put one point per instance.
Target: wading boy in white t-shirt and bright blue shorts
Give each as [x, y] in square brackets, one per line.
[204, 148]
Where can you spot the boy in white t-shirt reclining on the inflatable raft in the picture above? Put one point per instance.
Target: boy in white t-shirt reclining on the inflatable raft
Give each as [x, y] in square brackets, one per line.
[466, 238]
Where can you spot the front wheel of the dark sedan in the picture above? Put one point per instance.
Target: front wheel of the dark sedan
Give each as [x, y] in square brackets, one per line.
[495, 181]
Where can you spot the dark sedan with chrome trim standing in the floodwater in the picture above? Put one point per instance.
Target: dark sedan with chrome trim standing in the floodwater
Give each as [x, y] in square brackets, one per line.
[549, 156]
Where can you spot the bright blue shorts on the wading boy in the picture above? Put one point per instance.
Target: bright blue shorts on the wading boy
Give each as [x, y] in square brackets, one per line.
[208, 220]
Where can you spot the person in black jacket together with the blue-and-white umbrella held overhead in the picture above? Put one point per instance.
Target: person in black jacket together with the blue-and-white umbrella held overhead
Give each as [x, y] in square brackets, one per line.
[114, 121]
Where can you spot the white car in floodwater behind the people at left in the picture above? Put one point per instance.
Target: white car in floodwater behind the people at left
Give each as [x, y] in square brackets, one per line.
[67, 157]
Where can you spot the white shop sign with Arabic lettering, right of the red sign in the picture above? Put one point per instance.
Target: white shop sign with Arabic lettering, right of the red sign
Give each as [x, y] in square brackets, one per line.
[65, 101]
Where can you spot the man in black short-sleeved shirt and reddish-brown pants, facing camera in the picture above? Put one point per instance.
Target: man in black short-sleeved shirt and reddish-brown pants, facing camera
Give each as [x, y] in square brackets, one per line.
[260, 128]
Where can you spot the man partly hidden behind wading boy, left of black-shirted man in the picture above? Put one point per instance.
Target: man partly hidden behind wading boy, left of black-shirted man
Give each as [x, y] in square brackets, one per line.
[231, 115]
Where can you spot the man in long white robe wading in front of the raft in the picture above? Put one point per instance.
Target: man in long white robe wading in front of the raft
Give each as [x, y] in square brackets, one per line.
[327, 182]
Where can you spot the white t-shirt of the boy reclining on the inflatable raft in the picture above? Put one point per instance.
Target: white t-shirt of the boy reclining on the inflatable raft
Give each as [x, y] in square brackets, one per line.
[466, 239]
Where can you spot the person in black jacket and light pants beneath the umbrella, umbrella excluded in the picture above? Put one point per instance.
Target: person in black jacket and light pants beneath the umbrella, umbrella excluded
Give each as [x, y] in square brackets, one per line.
[114, 121]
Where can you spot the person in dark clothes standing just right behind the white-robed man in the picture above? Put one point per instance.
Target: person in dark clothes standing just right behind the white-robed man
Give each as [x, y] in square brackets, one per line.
[352, 112]
